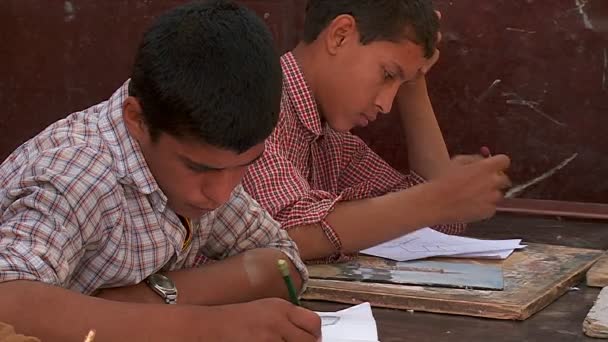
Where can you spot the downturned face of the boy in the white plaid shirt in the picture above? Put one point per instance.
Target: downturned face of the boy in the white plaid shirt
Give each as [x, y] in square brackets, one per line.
[196, 178]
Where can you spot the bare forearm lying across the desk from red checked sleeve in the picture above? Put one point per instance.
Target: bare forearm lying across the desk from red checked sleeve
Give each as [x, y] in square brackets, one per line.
[365, 223]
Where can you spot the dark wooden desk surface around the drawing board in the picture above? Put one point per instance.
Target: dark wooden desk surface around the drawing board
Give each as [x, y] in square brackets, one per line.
[560, 321]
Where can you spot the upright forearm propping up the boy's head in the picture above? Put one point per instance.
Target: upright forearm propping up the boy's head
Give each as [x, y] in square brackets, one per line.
[427, 153]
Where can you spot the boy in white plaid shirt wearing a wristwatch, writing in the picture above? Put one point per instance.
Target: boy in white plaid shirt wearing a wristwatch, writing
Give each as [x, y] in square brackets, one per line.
[137, 199]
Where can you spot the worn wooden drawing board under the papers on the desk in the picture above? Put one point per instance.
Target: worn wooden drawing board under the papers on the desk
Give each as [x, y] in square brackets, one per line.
[534, 277]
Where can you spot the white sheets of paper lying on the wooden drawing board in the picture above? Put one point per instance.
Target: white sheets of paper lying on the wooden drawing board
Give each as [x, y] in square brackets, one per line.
[426, 243]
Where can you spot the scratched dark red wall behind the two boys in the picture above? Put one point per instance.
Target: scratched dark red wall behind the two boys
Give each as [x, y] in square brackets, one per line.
[551, 57]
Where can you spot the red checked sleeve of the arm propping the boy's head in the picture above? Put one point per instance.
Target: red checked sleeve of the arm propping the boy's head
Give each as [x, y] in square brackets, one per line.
[367, 175]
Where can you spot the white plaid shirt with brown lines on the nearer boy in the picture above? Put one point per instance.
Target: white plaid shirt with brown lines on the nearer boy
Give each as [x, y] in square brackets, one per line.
[80, 209]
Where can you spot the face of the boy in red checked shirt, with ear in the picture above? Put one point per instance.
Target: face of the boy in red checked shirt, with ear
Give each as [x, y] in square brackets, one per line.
[361, 81]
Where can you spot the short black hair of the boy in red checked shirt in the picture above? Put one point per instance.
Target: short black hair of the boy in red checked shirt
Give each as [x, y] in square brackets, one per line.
[378, 20]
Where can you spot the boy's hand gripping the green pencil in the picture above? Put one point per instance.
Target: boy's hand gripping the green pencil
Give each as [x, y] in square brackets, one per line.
[265, 320]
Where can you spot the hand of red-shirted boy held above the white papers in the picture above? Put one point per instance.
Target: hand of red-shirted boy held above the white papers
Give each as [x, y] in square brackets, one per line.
[471, 187]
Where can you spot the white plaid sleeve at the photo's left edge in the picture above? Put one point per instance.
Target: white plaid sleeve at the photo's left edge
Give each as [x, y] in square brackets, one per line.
[40, 220]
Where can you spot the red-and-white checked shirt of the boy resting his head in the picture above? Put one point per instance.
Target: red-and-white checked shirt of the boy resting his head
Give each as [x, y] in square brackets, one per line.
[308, 167]
